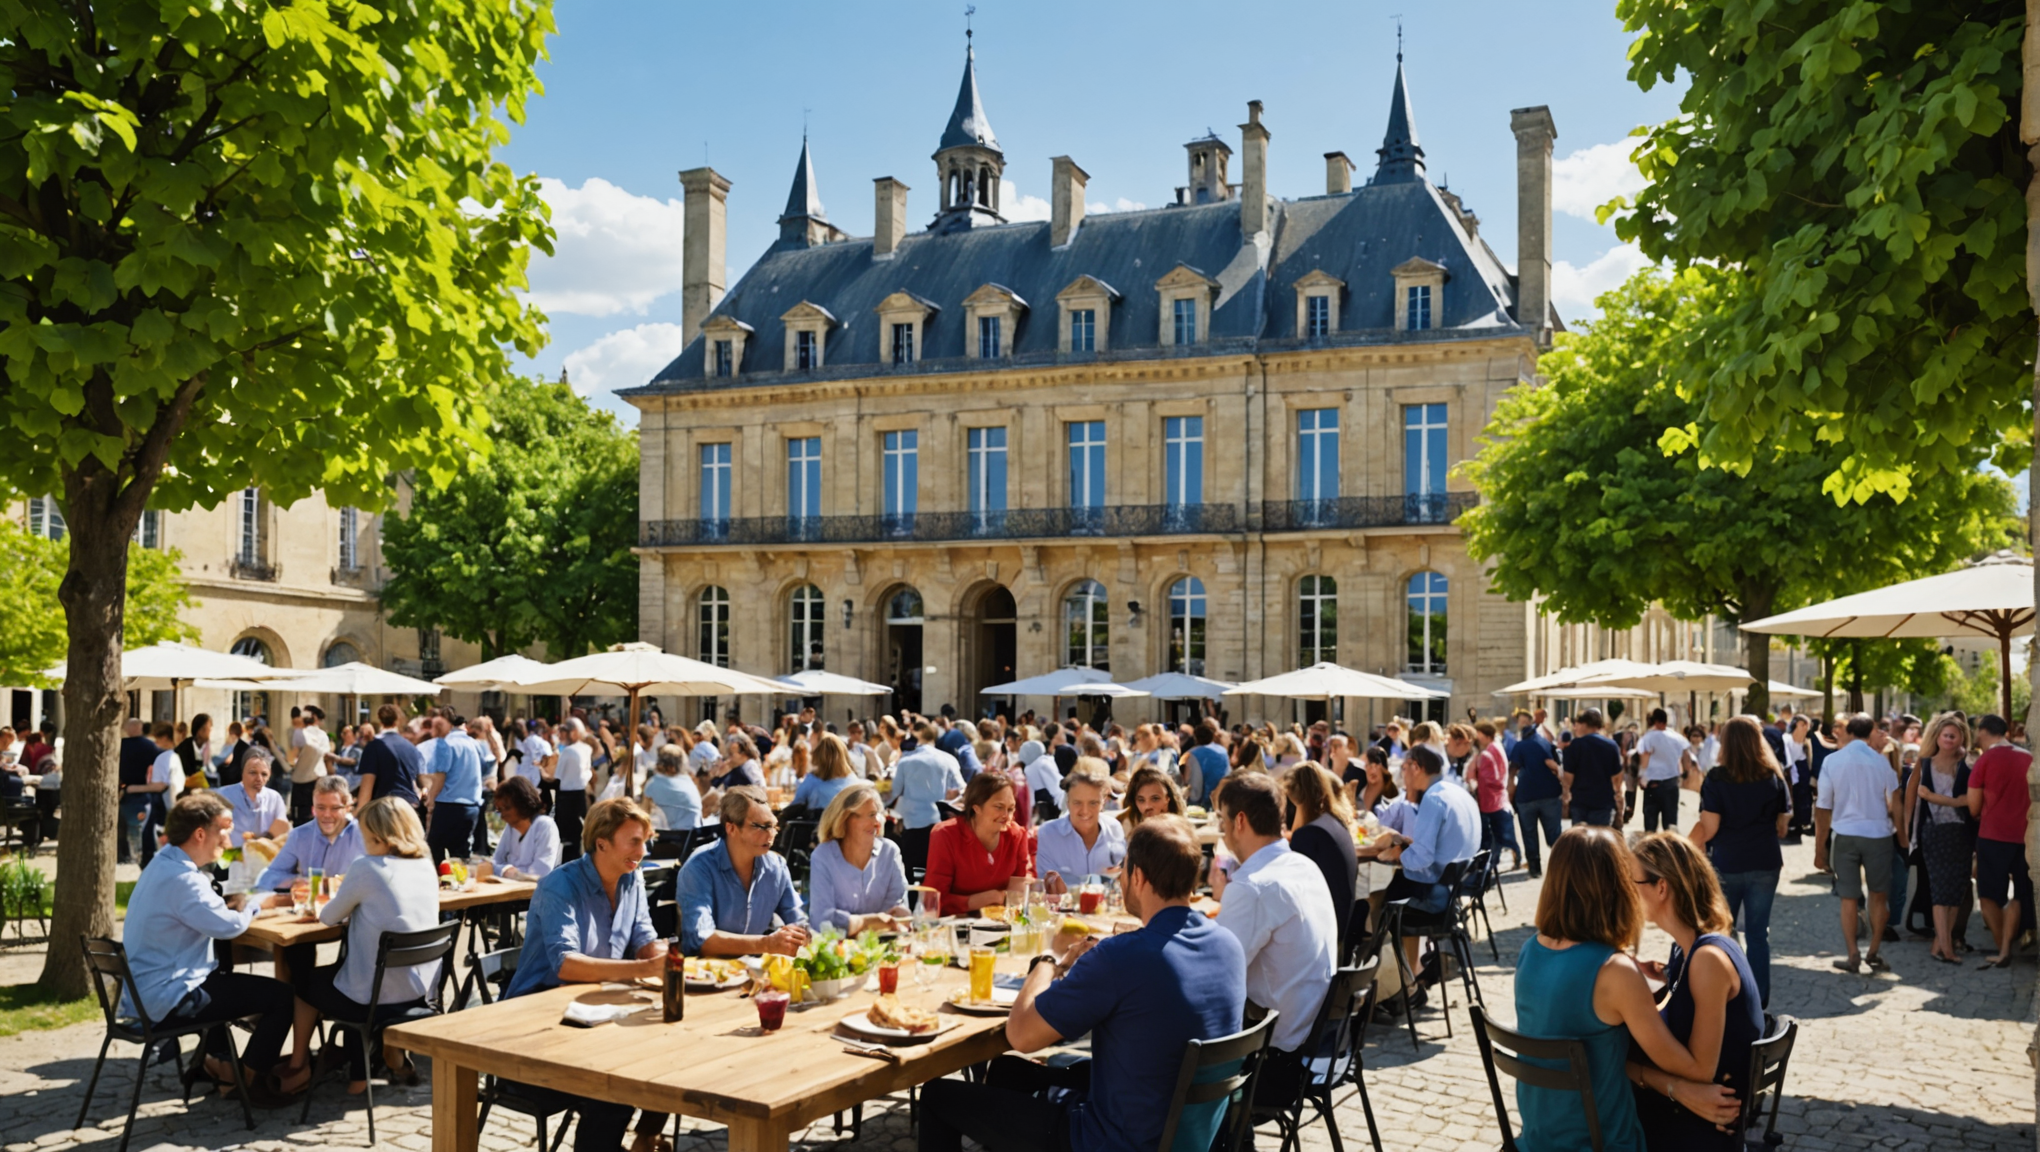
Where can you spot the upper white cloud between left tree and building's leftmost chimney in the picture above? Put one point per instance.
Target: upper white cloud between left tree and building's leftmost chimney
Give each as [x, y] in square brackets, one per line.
[613, 254]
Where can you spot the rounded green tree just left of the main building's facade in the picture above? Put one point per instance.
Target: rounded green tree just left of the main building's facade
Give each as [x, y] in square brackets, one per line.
[531, 543]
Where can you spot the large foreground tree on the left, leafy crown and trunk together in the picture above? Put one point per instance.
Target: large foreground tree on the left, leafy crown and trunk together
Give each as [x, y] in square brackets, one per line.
[244, 244]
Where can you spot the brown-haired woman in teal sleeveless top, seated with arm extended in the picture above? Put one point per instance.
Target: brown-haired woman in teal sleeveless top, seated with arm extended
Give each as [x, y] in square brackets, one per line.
[1578, 982]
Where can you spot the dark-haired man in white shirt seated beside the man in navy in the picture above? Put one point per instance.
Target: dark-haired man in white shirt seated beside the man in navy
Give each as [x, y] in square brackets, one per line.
[1282, 912]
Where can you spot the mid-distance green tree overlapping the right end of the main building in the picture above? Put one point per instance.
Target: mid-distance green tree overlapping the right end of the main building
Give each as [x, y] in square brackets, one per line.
[1584, 511]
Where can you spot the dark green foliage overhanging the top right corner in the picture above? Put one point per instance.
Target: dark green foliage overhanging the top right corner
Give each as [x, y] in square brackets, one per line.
[1859, 166]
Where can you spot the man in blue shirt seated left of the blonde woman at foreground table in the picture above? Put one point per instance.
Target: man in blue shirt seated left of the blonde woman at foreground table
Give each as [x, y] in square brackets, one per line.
[733, 890]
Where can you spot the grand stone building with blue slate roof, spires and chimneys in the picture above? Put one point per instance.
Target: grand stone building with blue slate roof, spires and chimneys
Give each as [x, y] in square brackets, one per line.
[1211, 437]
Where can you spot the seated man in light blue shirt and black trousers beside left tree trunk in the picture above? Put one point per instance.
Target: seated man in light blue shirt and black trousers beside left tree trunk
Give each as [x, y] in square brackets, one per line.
[174, 917]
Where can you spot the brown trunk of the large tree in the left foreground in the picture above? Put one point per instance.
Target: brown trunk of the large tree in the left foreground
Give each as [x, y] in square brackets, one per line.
[95, 605]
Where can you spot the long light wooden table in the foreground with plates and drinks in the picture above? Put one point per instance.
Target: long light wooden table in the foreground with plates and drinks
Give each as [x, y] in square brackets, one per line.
[717, 1065]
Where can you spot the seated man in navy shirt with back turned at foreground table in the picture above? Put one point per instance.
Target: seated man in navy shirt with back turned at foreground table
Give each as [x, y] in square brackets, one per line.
[1141, 996]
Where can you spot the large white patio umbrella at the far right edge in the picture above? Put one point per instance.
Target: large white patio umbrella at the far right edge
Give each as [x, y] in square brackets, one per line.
[1992, 598]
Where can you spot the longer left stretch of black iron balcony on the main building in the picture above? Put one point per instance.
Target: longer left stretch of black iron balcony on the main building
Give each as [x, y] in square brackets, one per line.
[946, 527]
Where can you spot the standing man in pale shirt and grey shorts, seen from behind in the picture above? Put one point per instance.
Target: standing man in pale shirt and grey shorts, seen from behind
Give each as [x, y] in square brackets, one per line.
[1859, 802]
